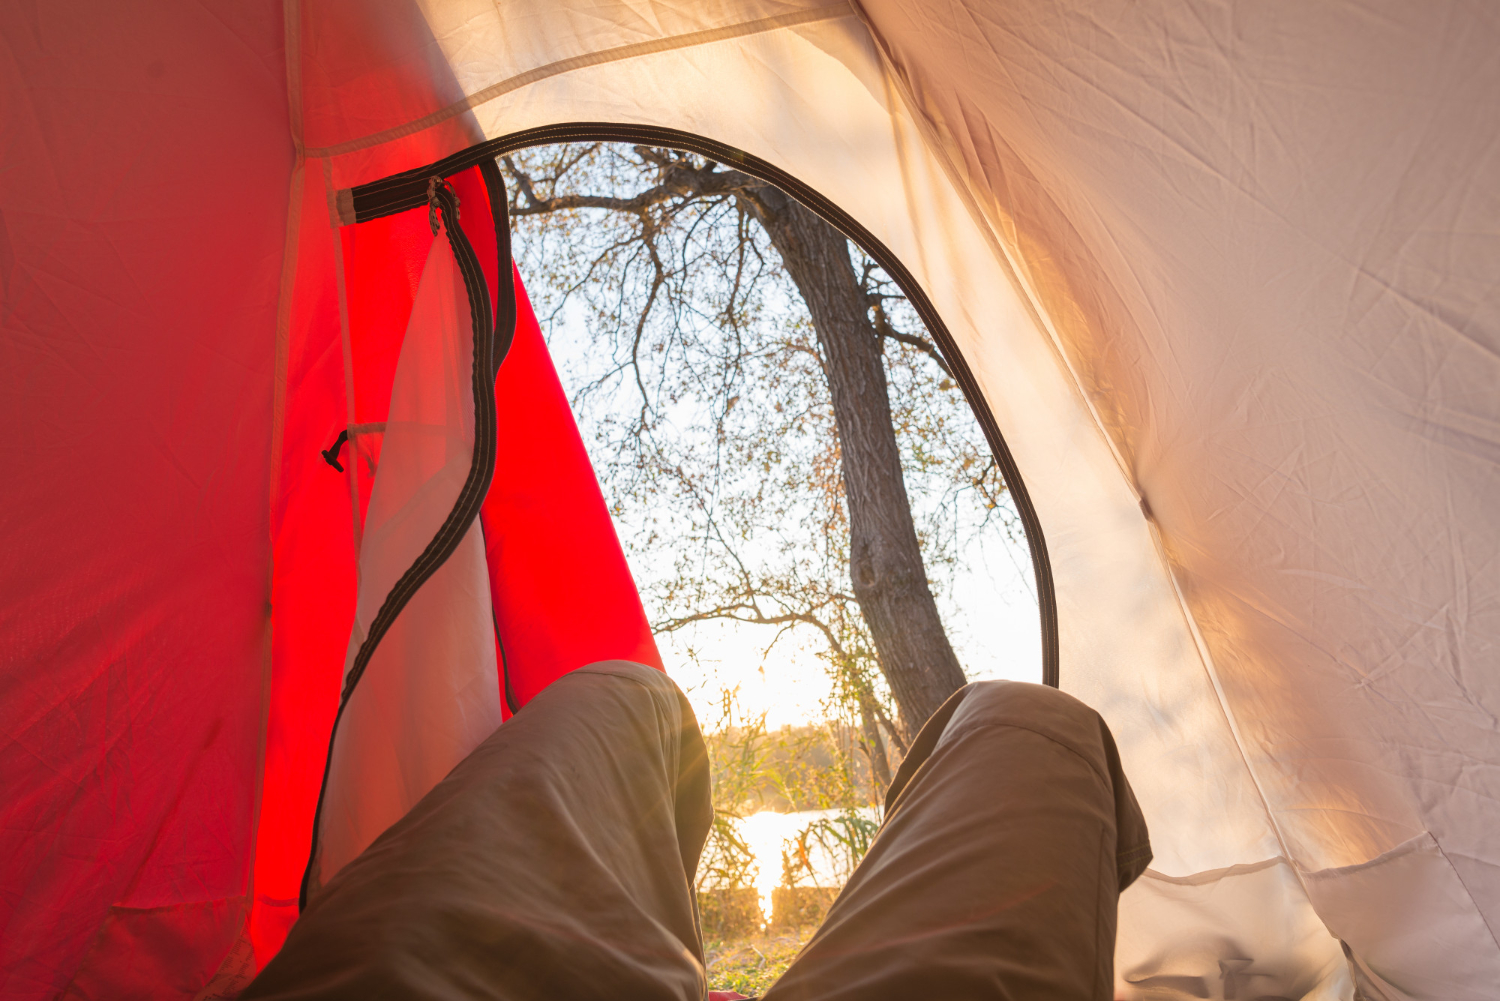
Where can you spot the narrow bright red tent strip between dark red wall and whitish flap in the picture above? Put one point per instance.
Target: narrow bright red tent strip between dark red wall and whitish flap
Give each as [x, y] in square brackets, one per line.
[314, 564]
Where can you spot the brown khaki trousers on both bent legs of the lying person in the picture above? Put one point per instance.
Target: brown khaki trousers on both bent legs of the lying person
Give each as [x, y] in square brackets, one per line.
[557, 862]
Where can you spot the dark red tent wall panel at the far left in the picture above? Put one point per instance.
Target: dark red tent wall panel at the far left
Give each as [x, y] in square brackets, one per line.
[145, 167]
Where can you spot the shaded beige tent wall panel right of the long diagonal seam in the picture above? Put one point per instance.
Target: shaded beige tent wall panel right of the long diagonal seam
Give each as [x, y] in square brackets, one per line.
[1267, 239]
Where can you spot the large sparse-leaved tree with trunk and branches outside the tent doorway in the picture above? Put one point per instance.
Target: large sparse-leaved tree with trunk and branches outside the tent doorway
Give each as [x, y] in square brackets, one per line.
[706, 284]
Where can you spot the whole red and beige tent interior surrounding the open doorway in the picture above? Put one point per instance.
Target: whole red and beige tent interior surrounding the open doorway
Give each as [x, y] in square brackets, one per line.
[1219, 278]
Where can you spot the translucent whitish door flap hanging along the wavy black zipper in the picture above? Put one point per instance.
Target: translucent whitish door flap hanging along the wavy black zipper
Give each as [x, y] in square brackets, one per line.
[431, 694]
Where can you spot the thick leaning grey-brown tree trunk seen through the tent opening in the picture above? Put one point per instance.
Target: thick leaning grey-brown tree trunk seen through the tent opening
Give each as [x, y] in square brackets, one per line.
[886, 561]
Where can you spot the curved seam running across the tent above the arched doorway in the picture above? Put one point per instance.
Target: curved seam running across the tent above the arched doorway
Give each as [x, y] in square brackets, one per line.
[557, 68]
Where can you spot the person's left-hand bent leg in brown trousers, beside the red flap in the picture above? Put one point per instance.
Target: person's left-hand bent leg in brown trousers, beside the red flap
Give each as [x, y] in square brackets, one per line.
[556, 862]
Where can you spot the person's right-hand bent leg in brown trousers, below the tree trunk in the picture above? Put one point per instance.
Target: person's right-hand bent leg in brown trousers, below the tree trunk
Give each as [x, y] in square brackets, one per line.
[1010, 832]
